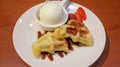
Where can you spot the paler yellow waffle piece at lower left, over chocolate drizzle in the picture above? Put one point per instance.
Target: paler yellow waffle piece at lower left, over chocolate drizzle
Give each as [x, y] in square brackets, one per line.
[50, 44]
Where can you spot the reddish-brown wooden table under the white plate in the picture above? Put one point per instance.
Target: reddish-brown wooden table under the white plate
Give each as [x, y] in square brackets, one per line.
[107, 10]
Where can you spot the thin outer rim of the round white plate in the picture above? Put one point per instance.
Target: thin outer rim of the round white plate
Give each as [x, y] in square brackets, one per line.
[40, 4]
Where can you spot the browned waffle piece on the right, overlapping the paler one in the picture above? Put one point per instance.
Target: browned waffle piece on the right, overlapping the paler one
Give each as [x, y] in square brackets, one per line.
[75, 30]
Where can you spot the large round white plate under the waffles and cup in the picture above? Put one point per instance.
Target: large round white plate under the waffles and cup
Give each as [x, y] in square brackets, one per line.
[24, 35]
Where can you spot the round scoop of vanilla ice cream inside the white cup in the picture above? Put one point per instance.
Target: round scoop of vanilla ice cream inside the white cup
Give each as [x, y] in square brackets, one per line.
[51, 13]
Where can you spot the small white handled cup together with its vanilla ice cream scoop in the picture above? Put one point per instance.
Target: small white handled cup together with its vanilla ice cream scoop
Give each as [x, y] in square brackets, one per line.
[51, 15]
